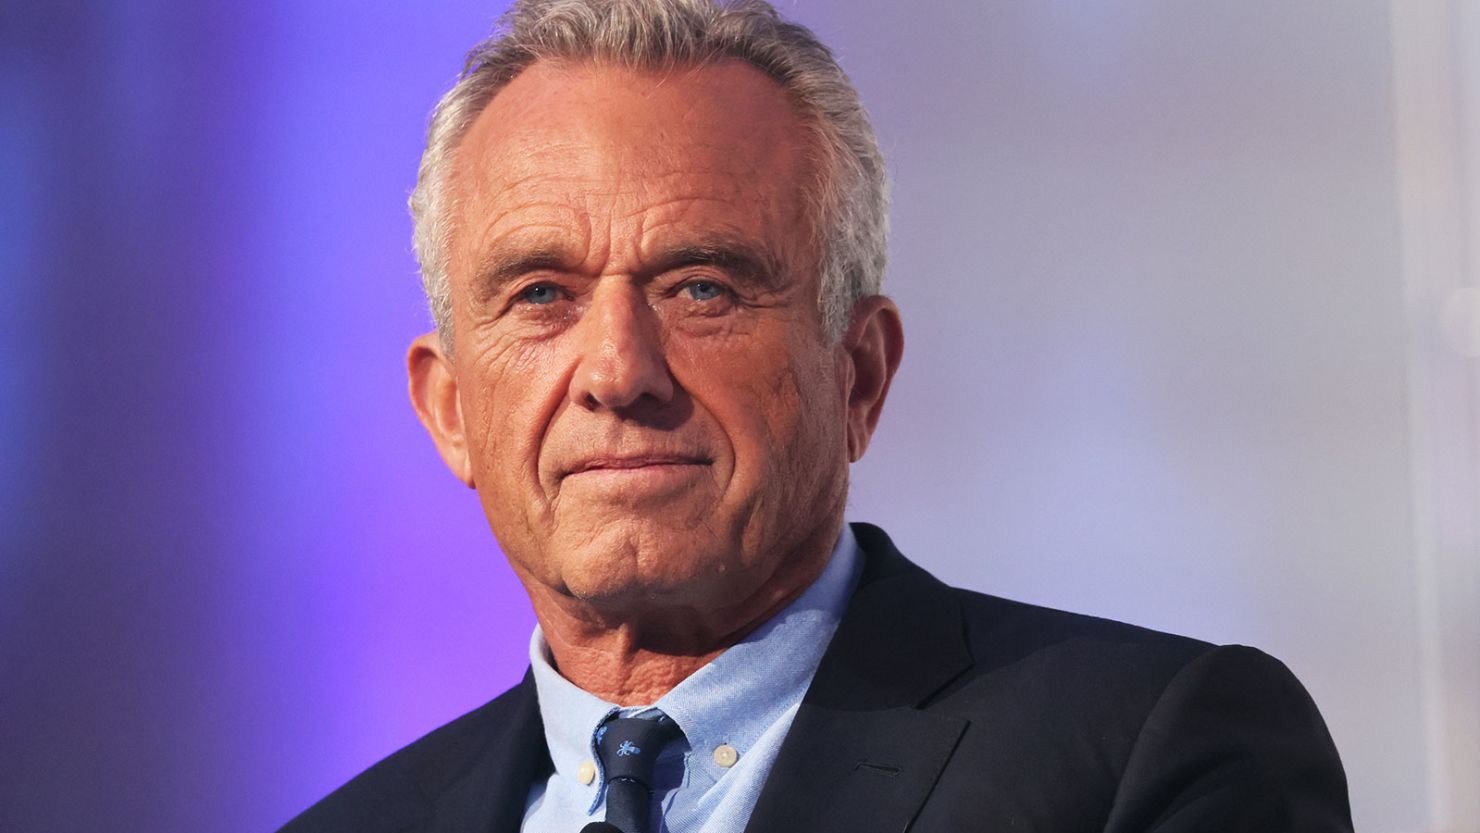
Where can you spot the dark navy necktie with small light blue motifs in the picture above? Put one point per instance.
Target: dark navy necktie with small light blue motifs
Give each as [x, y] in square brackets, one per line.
[628, 749]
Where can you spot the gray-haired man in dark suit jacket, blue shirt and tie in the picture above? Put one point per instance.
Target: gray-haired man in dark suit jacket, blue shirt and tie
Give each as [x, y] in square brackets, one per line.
[652, 233]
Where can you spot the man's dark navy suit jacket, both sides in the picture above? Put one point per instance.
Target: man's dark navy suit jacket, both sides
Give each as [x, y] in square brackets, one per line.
[936, 711]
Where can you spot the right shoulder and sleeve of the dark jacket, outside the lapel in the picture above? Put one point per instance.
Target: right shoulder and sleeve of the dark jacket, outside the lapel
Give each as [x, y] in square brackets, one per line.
[1142, 723]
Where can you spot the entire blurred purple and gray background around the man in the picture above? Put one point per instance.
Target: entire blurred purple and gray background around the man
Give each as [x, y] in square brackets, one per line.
[1191, 294]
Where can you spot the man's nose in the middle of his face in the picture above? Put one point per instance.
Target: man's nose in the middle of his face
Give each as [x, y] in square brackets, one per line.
[621, 360]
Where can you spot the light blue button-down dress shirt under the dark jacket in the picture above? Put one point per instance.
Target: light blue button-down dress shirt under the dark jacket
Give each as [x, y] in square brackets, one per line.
[735, 714]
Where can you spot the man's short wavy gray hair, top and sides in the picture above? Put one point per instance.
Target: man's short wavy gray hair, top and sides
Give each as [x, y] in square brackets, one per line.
[850, 193]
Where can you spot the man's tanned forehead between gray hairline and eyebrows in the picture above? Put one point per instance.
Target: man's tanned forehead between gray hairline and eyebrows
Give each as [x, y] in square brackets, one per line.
[591, 146]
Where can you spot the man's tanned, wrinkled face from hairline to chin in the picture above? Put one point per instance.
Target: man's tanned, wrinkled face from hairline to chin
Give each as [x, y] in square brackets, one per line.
[646, 400]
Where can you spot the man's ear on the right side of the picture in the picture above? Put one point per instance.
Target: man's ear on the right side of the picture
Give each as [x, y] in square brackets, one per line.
[874, 344]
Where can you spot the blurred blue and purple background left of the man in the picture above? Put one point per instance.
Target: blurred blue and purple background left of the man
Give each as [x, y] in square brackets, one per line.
[235, 569]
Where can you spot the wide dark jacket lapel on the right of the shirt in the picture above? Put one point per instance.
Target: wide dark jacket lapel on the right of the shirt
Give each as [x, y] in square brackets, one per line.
[862, 755]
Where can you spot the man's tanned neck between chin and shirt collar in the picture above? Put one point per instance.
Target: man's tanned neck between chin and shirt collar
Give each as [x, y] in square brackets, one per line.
[633, 658]
